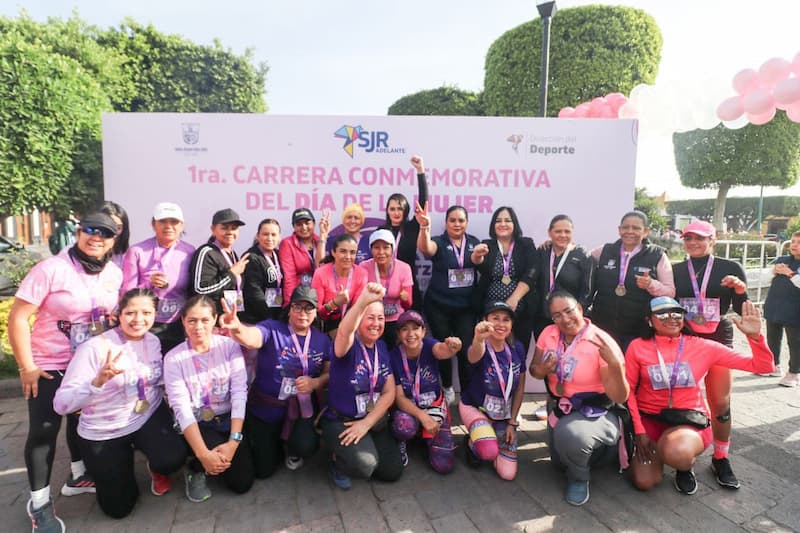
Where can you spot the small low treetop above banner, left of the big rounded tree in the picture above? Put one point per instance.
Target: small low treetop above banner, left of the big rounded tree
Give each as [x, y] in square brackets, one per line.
[441, 101]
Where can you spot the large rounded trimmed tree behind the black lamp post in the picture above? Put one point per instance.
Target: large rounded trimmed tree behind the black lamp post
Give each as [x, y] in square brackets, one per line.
[594, 50]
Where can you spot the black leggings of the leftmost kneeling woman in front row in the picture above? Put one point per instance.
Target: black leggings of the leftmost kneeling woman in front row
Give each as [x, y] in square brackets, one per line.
[110, 462]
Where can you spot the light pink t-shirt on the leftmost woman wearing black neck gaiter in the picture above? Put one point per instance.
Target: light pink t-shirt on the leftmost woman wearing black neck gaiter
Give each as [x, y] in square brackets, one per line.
[65, 296]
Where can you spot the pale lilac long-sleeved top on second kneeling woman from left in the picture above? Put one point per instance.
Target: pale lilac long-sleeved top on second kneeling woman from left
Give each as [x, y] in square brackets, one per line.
[216, 379]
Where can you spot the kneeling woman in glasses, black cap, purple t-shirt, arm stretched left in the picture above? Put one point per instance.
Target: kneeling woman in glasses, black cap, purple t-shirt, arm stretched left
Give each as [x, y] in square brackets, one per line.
[292, 371]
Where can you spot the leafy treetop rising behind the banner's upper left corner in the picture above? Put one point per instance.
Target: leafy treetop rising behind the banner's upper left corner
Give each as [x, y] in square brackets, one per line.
[172, 74]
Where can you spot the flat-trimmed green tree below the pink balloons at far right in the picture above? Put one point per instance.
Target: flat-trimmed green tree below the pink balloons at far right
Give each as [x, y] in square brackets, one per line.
[721, 158]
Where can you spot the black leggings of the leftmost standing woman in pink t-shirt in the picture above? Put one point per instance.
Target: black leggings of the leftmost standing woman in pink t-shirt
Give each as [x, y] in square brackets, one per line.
[43, 427]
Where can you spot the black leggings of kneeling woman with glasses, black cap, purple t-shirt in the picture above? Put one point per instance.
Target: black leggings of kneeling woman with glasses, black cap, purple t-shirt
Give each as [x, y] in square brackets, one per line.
[265, 440]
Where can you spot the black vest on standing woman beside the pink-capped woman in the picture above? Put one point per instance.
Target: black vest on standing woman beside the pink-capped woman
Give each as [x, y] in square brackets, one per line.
[624, 315]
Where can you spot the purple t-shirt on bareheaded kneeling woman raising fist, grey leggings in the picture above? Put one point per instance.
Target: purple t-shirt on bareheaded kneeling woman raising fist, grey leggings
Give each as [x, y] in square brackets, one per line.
[348, 388]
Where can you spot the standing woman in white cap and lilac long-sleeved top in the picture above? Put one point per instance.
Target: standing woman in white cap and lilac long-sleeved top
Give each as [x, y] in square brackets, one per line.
[161, 264]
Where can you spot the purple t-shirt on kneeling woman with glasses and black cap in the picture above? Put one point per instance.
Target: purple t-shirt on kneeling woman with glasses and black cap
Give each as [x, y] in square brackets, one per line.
[279, 364]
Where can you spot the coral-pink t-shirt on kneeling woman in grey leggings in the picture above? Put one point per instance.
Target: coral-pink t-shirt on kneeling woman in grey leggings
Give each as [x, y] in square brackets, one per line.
[581, 366]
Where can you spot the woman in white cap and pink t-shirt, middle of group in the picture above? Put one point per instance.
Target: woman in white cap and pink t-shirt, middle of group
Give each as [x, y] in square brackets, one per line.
[394, 276]
